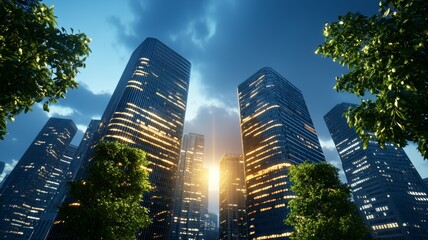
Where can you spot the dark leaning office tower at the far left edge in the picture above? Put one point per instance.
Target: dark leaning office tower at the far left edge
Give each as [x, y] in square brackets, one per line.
[35, 181]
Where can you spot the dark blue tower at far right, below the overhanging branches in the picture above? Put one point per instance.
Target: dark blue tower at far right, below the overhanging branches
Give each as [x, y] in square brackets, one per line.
[387, 189]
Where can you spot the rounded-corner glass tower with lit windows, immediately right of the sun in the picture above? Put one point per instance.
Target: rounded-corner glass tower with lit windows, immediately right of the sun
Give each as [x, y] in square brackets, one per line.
[277, 132]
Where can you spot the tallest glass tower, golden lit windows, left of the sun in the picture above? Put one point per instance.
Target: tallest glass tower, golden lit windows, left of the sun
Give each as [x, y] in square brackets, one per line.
[147, 111]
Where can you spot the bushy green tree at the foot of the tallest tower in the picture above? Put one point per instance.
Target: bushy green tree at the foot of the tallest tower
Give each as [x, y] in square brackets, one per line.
[107, 203]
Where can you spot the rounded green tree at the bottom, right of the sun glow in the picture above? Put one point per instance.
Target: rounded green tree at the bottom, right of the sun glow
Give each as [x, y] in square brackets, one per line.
[322, 208]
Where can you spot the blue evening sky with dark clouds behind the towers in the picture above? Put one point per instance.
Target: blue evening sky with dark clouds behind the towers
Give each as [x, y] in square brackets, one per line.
[226, 41]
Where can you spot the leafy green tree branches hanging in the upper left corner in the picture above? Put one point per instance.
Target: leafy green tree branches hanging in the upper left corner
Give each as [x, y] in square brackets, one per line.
[38, 61]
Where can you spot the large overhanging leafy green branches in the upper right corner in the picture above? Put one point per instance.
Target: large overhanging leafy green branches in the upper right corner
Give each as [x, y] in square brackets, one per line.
[386, 55]
